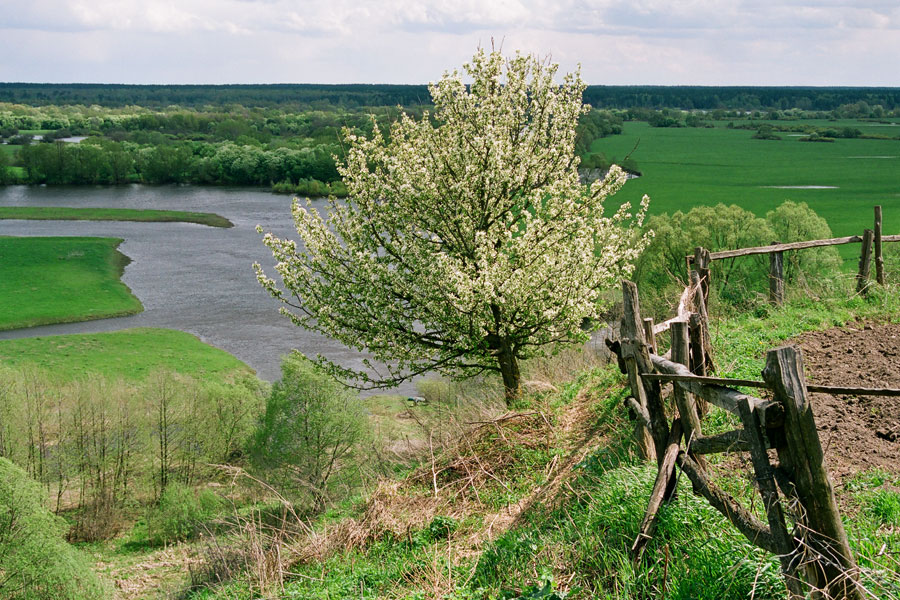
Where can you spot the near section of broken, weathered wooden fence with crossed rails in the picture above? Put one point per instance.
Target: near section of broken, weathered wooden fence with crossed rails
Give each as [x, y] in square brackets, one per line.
[815, 556]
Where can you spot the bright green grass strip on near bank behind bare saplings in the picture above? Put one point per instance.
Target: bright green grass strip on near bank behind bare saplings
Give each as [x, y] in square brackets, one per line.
[131, 354]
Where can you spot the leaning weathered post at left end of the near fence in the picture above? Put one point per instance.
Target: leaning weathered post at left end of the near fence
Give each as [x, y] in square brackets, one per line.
[636, 355]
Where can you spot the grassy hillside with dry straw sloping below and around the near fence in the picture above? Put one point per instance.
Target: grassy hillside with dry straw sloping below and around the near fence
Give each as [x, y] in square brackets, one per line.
[544, 501]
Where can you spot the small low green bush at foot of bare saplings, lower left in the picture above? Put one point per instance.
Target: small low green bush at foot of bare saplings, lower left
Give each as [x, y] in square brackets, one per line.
[181, 513]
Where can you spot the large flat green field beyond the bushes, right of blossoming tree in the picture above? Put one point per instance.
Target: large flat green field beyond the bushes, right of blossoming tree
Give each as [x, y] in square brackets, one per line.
[686, 167]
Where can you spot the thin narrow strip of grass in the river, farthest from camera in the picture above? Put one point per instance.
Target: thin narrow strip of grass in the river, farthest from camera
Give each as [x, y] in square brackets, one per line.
[62, 213]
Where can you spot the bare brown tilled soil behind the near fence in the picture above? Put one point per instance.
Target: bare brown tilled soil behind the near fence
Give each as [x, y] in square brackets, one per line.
[857, 432]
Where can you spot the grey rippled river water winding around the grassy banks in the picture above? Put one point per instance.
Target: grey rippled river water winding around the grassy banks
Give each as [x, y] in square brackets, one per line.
[190, 277]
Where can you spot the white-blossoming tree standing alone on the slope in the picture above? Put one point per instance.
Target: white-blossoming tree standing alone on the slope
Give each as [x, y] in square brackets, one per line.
[468, 242]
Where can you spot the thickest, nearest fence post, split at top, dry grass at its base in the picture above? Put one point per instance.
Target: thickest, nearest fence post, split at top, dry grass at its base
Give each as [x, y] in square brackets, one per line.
[831, 567]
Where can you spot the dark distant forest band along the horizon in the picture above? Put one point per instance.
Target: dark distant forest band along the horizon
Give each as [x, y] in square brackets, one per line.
[316, 96]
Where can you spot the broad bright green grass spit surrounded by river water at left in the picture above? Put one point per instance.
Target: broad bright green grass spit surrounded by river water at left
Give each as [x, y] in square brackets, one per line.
[45, 280]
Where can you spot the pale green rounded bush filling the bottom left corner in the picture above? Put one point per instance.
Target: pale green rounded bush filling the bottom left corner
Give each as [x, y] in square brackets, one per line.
[35, 561]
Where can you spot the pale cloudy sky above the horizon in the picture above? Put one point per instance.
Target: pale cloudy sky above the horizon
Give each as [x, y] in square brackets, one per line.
[616, 42]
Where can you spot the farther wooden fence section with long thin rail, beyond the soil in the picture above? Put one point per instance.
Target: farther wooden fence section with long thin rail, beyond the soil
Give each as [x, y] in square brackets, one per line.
[702, 257]
